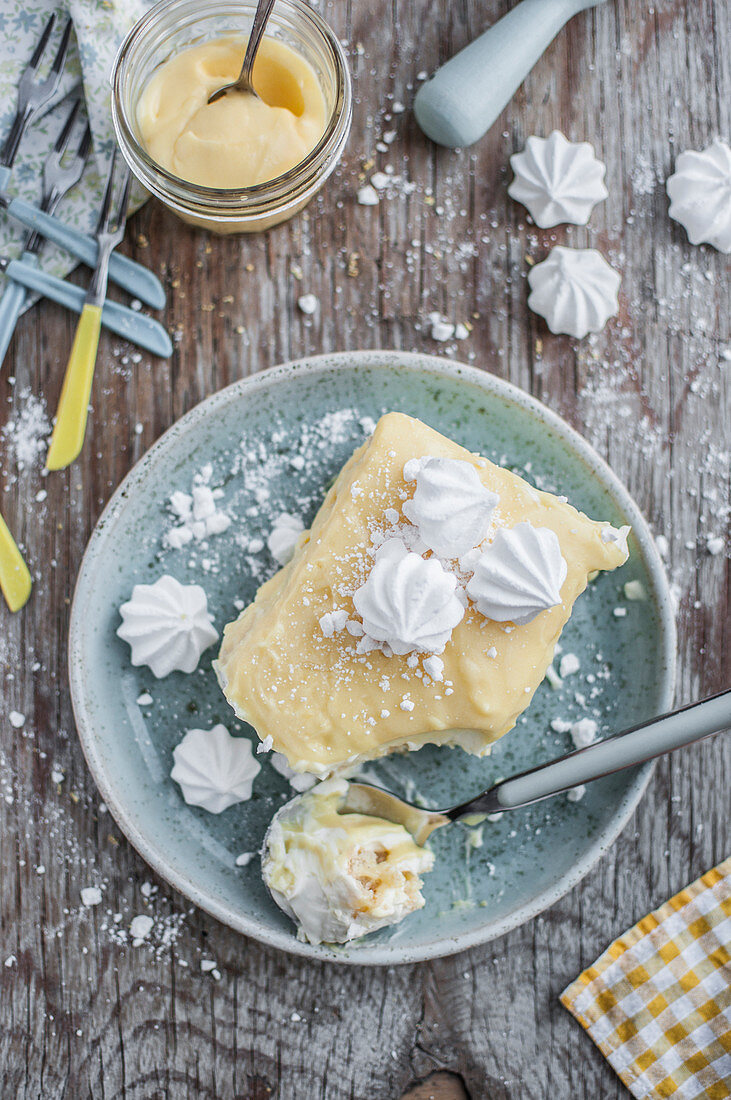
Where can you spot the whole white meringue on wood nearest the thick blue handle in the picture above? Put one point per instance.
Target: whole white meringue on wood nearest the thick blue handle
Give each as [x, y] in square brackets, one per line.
[558, 181]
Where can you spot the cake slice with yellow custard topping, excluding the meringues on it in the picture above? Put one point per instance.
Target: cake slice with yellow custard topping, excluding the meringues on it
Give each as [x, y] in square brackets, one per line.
[295, 666]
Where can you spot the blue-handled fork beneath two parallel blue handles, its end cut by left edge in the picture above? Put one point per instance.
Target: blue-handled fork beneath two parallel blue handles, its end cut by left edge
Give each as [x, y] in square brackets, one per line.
[60, 175]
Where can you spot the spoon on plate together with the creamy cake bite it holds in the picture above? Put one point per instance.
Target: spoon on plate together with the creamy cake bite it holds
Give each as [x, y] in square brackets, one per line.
[347, 859]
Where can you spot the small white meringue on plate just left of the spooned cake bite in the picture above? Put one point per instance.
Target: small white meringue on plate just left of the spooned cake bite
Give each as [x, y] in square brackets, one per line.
[214, 769]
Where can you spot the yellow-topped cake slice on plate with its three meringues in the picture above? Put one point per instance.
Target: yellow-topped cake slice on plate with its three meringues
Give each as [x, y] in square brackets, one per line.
[423, 607]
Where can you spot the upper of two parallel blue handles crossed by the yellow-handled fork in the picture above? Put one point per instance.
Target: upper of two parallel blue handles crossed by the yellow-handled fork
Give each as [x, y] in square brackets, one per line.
[134, 278]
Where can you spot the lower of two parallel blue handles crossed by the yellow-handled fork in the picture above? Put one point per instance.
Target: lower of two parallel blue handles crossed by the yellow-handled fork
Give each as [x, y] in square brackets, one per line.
[140, 329]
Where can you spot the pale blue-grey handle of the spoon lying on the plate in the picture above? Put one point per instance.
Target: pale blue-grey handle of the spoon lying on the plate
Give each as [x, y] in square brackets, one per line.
[633, 747]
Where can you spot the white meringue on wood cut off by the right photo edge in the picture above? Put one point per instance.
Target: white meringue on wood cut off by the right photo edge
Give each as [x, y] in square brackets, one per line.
[701, 195]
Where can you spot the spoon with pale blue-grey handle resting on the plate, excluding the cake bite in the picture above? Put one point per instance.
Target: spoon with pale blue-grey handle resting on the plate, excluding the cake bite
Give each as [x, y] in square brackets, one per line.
[634, 746]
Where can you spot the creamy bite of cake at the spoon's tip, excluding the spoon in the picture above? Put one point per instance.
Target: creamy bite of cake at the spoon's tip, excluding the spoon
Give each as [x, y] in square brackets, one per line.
[341, 876]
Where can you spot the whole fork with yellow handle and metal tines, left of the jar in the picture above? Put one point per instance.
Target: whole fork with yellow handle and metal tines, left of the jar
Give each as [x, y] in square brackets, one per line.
[70, 430]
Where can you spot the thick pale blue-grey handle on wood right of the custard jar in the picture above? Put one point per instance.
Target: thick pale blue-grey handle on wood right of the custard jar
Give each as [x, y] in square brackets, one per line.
[464, 98]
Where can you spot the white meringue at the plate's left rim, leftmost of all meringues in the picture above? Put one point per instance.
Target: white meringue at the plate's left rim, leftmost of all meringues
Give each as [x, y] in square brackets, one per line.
[168, 626]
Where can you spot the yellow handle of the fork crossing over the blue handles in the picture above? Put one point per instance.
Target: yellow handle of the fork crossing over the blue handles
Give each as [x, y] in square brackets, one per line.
[70, 430]
